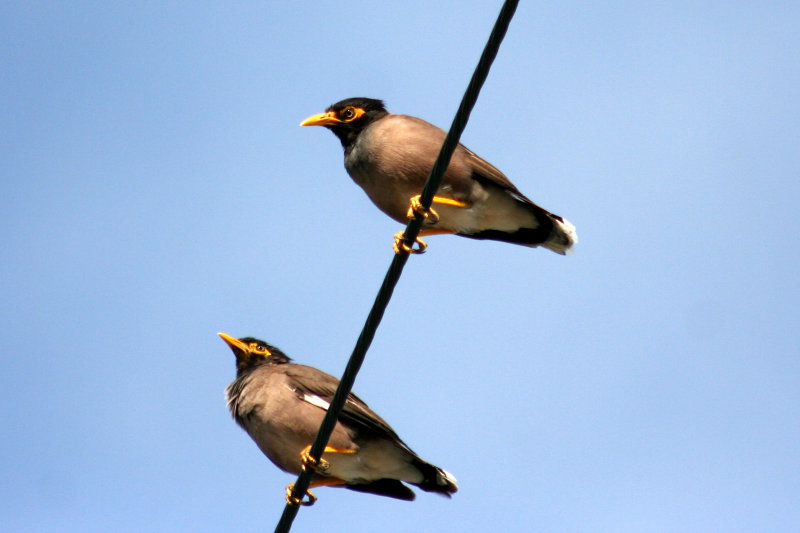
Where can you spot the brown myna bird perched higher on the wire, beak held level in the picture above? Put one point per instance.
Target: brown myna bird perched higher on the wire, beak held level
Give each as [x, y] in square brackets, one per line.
[390, 157]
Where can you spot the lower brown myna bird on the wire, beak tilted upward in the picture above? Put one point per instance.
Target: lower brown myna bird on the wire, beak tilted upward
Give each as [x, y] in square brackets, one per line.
[281, 406]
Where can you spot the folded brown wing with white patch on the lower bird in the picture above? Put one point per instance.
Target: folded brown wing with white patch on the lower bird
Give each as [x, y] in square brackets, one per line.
[317, 388]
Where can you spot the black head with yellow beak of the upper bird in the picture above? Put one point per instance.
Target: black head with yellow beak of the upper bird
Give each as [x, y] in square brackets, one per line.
[348, 118]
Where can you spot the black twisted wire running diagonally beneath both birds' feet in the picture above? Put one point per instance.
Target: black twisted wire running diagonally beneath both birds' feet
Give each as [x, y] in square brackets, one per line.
[399, 261]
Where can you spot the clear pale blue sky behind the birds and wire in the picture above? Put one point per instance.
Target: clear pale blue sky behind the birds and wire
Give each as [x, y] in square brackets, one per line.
[156, 189]
